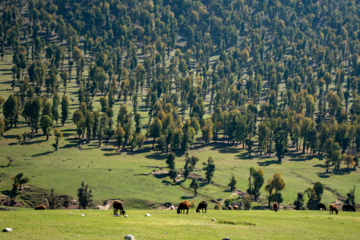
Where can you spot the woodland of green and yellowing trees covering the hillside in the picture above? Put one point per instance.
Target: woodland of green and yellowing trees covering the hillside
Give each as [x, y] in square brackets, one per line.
[273, 77]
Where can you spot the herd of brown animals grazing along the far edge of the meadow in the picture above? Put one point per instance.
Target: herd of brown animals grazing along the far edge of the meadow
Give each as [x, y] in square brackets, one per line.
[185, 205]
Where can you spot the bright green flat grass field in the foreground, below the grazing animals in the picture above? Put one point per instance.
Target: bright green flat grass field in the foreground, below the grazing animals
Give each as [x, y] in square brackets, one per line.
[100, 224]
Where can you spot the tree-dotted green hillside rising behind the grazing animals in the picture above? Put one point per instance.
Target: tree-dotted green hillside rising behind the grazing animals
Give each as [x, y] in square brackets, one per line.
[231, 83]
